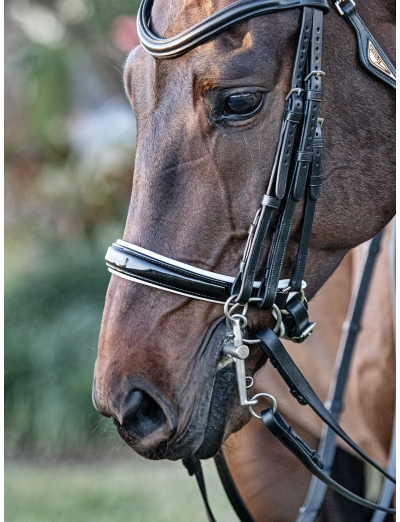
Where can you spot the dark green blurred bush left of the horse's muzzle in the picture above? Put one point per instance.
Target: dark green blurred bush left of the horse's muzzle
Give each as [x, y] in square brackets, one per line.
[52, 313]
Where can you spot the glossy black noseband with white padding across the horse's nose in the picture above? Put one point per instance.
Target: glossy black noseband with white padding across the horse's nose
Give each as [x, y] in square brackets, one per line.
[148, 268]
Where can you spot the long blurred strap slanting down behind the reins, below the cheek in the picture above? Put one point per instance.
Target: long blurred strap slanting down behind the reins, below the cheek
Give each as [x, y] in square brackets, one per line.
[327, 448]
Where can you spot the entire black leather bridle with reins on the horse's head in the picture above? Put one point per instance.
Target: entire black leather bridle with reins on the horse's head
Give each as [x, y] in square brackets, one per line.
[295, 176]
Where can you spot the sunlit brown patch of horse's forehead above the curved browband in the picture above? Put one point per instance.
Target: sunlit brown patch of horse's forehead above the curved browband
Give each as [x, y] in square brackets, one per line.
[170, 18]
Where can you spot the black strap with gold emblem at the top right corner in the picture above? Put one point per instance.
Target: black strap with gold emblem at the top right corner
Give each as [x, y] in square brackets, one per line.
[371, 54]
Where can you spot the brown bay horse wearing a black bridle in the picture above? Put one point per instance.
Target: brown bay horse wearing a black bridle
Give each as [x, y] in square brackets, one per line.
[208, 129]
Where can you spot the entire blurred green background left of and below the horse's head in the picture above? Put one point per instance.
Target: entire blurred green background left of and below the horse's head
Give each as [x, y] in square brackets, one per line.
[69, 156]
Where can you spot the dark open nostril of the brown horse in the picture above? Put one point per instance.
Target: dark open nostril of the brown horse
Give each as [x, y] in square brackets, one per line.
[142, 414]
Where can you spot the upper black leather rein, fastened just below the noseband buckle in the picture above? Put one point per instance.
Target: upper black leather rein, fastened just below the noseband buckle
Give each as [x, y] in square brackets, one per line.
[302, 391]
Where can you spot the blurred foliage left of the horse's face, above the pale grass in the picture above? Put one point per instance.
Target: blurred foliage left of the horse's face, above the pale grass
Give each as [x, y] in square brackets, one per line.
[59, 201]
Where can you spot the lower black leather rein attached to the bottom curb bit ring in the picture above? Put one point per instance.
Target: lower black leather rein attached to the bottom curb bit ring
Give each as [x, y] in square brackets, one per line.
[310, 458]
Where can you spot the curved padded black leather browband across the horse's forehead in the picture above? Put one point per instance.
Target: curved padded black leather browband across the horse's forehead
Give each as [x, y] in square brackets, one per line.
[198, 33]
